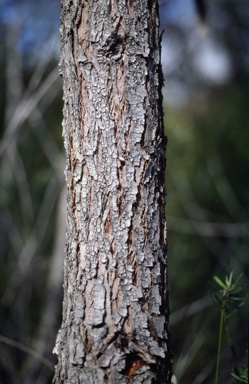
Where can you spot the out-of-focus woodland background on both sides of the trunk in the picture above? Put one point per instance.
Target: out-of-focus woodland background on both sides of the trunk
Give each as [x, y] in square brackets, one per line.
[206, 66]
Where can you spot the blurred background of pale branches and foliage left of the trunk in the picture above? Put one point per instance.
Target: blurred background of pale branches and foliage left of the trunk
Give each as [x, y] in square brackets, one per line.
[32, 230]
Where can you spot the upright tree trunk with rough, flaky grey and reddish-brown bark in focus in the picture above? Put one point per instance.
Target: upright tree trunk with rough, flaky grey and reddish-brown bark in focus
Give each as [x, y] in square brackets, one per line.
[115, 312]
